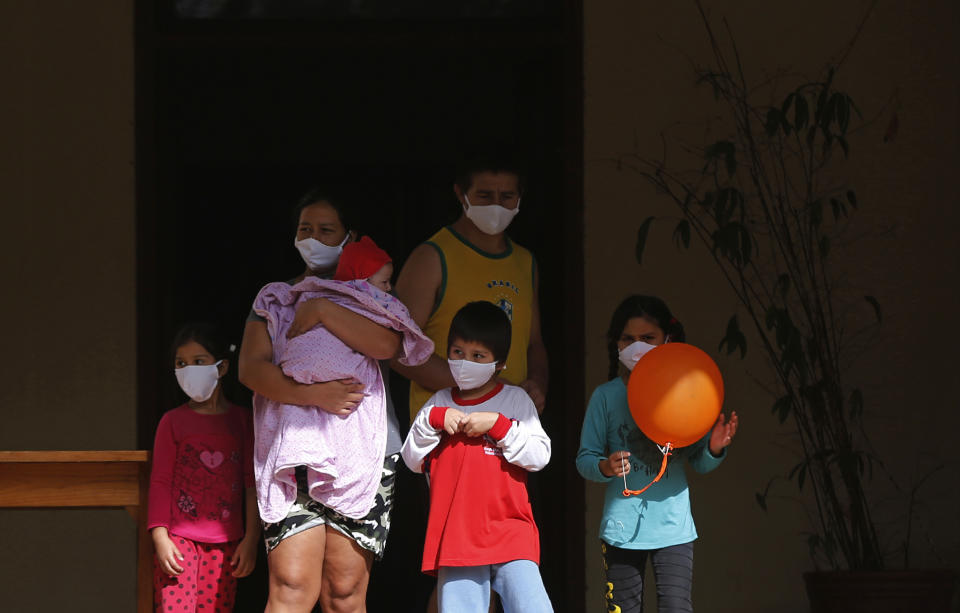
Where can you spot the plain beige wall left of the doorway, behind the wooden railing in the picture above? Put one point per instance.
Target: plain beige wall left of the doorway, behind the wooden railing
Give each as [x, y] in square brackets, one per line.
[67, 371]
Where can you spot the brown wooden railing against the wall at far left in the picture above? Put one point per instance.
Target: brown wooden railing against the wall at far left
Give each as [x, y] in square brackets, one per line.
[72, 479]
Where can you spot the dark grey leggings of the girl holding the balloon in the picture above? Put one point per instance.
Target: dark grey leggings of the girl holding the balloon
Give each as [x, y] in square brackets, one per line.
[672, 571]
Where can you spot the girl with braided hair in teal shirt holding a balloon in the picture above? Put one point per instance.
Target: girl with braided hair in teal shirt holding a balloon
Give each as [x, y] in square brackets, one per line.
[658, 523]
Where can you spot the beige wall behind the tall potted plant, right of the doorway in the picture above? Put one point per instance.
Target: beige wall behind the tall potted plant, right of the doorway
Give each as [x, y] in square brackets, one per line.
[638, 82]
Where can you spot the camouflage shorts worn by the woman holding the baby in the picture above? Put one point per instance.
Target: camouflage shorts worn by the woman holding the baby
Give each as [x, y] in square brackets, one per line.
[369, 533]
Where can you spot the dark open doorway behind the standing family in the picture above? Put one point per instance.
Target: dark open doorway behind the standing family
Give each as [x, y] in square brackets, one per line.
[237, 115]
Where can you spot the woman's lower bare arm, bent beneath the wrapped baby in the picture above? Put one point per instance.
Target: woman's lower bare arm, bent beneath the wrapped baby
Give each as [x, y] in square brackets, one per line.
[258, 372]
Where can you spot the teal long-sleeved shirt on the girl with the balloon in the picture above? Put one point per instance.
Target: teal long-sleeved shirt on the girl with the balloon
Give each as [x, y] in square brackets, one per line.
[661, 516]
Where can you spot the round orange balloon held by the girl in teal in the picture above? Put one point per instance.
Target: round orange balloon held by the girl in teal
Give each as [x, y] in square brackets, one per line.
[675, 393]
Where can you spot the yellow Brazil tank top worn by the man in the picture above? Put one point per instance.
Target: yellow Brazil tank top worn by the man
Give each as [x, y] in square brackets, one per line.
[469, 274]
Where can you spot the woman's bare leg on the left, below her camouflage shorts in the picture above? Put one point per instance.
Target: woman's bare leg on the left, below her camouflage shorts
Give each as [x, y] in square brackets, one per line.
[296, 568]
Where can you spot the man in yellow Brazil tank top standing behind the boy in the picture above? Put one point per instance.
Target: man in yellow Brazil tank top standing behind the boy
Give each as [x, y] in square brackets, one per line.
[473, 259]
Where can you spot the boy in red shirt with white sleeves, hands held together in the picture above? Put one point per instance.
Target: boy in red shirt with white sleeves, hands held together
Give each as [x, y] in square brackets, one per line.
[476, 443]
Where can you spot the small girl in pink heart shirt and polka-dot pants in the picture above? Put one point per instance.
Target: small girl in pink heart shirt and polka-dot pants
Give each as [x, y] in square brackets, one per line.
[202, 510]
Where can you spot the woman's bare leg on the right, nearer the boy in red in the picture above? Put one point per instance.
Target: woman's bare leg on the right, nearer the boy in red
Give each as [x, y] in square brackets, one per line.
[346, 572]
